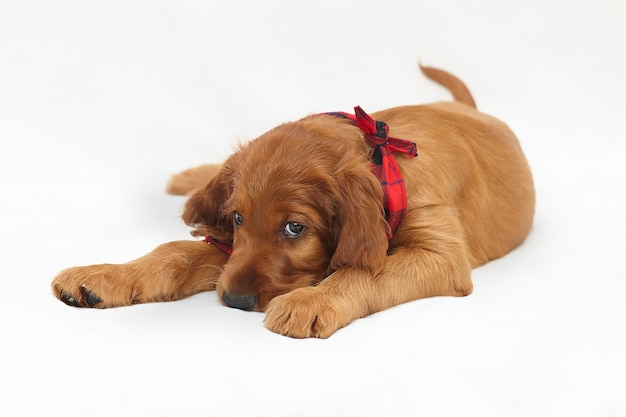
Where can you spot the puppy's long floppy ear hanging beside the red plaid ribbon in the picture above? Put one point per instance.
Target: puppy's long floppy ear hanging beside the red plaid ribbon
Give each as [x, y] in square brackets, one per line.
[360, 229]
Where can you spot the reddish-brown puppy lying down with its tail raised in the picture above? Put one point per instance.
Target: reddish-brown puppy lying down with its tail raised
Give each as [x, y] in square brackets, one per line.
[305, 217]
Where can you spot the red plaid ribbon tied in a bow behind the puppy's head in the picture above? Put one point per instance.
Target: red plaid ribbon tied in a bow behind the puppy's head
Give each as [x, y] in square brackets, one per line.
[384, 165]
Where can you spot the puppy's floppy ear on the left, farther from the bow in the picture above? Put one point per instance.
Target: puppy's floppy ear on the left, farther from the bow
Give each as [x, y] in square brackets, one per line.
[203, 210]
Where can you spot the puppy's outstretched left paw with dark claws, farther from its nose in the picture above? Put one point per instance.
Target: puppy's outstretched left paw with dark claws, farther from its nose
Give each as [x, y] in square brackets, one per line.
[90, 286]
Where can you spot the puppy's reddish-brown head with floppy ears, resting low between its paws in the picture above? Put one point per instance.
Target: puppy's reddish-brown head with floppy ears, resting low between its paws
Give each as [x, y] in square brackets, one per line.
[297, 204]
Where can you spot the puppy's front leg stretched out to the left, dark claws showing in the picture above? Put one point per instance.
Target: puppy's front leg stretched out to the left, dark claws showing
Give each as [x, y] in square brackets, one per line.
[170, 272]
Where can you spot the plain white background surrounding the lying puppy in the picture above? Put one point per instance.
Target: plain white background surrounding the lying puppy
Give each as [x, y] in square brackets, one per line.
[101, 101]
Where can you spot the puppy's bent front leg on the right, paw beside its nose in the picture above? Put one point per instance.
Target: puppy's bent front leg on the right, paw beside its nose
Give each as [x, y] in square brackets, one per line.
[431, 260]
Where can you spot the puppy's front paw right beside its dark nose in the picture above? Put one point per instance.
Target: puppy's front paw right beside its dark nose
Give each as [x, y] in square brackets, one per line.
[306, 312]
